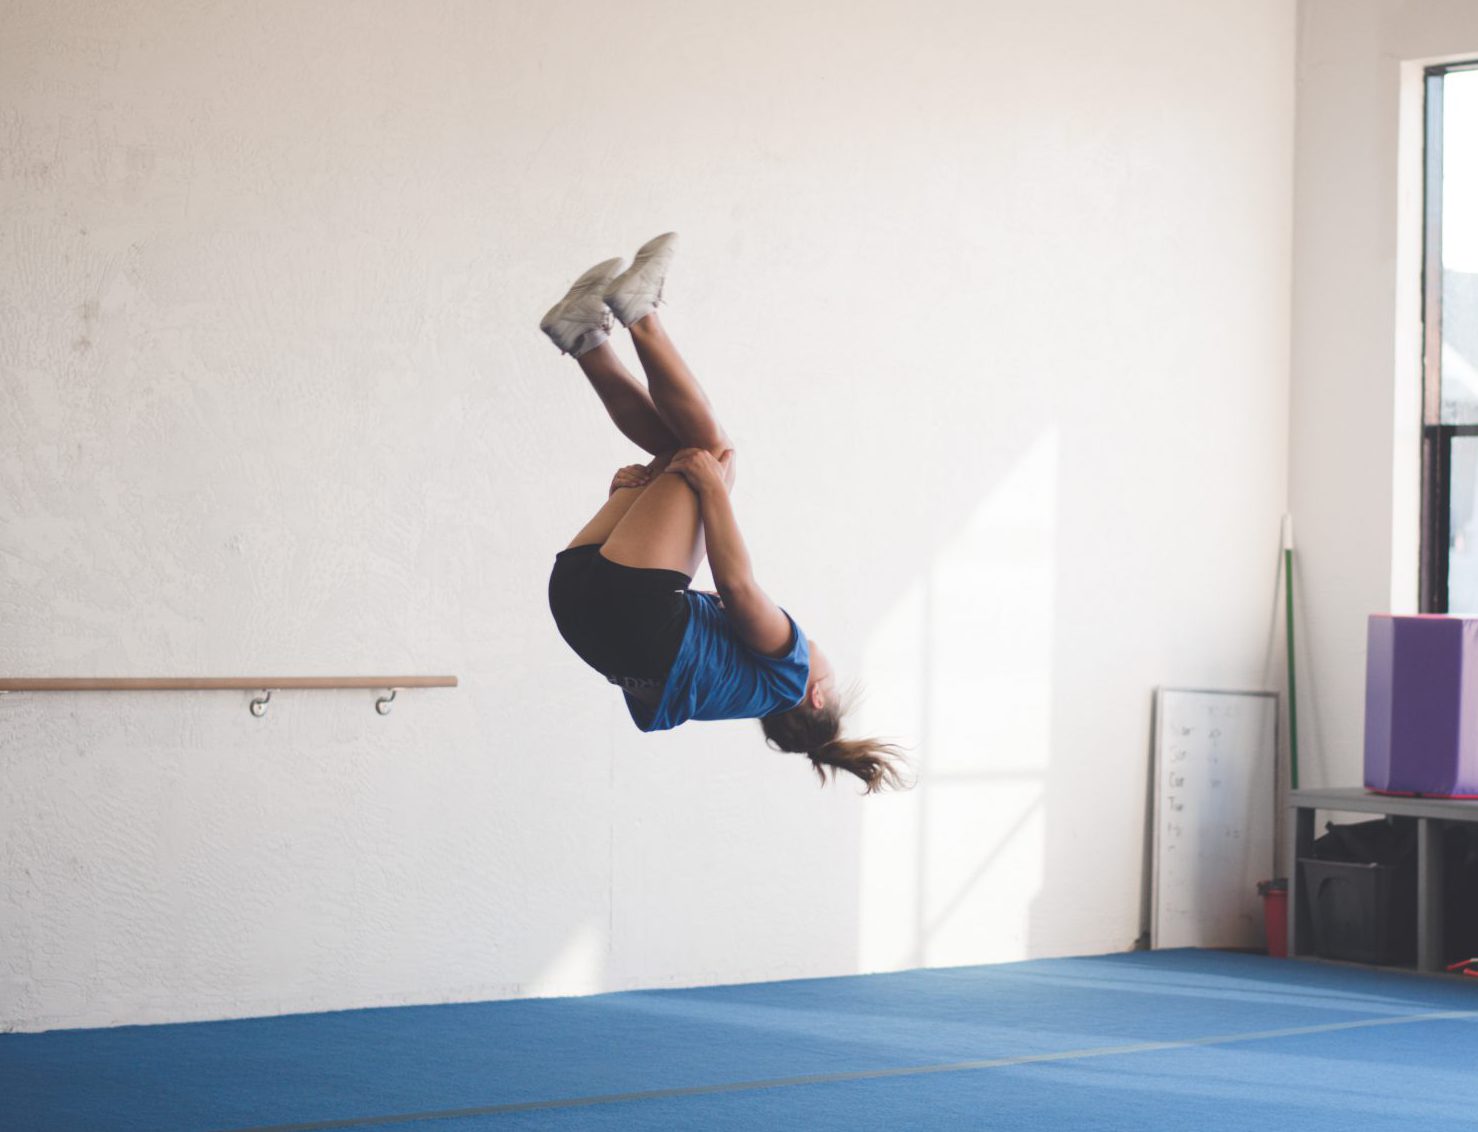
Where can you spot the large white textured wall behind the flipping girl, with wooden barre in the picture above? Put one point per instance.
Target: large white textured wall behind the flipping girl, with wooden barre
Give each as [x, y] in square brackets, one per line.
[994, 298]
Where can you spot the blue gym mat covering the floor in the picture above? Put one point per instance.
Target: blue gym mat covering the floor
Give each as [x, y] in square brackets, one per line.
[1143, 1041]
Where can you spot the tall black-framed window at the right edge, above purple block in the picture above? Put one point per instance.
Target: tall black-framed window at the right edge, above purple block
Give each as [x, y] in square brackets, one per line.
[1451, 342]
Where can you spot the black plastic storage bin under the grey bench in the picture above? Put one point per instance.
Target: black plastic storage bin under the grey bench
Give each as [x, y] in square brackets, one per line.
[1362, 913]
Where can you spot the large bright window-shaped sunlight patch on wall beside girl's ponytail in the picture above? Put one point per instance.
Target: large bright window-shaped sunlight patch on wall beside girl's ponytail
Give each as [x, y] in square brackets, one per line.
[961, 669]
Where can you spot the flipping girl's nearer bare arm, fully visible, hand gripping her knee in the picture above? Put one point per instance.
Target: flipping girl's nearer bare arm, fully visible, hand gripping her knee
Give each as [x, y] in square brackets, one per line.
[756, 618]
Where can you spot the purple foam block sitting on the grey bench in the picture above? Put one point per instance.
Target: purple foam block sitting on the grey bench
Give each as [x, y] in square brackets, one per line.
[1423, 706]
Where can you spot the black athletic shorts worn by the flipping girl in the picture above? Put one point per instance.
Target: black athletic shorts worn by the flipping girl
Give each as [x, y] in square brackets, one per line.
[623, 621]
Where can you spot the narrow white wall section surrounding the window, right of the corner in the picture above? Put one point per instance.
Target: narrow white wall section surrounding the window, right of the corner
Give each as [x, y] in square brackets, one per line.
[1355, 471]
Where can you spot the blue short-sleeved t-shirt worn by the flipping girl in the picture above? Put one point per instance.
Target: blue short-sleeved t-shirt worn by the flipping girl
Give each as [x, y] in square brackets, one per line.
[716, 676]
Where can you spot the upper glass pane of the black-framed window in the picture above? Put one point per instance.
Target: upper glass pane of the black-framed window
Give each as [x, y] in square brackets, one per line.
[1460, 253]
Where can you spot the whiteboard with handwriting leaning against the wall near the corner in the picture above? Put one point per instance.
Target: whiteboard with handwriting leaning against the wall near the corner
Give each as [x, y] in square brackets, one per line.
[1216, 775]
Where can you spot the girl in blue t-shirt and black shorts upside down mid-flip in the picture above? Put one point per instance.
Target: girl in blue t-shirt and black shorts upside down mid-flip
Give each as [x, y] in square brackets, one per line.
[620, 592]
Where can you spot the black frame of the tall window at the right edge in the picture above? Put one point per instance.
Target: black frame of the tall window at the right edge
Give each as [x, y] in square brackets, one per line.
[1437, 438]
